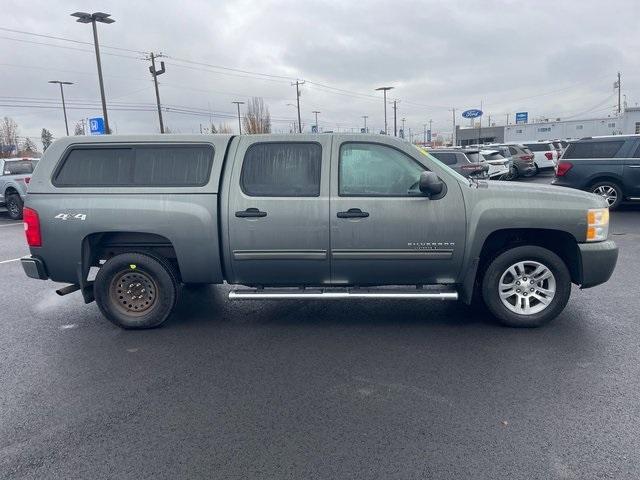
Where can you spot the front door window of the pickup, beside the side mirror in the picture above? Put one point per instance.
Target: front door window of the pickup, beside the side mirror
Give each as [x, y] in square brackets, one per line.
[368, 169]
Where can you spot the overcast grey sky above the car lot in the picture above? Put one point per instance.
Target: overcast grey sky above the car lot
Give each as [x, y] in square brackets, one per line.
[550, 58]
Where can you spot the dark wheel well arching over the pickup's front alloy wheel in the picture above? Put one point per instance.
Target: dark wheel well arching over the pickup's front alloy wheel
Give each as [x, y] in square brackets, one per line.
[561, 243]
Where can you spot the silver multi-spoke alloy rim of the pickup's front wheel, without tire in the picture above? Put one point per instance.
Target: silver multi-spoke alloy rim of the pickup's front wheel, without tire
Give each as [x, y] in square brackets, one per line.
[527, 287]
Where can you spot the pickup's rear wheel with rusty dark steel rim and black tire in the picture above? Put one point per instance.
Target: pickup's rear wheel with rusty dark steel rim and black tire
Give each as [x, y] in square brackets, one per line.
[151, 290]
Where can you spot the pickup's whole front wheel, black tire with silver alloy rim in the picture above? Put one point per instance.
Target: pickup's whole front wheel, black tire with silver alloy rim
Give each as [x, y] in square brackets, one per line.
[526, 286]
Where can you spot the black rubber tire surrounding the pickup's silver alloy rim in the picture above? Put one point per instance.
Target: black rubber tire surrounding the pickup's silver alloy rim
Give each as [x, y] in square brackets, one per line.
[533, 254]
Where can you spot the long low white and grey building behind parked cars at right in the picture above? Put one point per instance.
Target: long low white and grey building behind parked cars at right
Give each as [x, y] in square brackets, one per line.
[628, 122]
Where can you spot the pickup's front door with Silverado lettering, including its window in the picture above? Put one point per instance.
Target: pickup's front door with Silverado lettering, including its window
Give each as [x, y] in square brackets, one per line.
[384, 231]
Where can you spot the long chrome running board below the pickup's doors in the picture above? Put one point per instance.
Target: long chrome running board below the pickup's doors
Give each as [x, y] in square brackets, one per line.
[341, 294]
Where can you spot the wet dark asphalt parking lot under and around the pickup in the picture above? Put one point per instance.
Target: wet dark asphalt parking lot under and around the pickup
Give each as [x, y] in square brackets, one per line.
[293, 389]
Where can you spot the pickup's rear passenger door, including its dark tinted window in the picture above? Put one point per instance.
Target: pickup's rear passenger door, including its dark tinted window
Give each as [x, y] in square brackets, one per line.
[278, 211]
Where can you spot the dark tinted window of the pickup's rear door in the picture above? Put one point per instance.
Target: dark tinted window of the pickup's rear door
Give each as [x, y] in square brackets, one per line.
[282, 169]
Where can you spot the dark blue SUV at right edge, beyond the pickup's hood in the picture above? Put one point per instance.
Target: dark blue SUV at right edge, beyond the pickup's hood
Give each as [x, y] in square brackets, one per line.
[606, 166]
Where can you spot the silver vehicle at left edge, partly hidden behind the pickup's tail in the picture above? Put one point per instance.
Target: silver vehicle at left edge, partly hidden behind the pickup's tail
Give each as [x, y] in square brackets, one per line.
[15, 175]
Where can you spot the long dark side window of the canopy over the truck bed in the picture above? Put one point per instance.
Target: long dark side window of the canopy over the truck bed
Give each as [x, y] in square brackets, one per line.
[136, 166]
